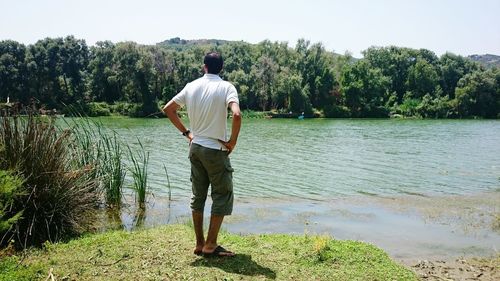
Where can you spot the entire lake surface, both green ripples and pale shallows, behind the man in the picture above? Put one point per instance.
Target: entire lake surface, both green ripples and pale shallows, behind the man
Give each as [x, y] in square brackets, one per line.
[332, 176]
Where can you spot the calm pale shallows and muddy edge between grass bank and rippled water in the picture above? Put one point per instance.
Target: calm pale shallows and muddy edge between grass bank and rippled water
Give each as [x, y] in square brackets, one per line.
[452, 237]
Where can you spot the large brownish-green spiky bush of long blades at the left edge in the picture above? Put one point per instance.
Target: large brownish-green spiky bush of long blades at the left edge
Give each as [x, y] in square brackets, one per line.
[58, 194]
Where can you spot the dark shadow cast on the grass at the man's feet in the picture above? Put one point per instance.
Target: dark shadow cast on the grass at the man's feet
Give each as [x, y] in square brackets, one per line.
[240, 264]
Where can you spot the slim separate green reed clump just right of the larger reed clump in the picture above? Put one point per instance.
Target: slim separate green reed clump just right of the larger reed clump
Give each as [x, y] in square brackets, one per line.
[139, 172]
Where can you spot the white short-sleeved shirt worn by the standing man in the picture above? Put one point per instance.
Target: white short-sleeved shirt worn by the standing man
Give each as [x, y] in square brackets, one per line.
[207, 99]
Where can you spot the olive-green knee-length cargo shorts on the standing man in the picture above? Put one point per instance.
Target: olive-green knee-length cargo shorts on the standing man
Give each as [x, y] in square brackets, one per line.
[211, 167]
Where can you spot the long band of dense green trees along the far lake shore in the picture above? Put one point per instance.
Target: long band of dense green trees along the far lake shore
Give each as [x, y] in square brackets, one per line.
[136, 79]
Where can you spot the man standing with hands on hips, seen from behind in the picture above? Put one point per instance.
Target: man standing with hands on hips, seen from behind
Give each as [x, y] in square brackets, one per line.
[207, 99]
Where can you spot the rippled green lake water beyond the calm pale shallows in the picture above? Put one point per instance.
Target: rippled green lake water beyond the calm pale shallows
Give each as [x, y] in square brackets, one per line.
[322, 159]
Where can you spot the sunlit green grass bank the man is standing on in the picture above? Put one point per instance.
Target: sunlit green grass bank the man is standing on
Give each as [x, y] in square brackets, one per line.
[165, 253]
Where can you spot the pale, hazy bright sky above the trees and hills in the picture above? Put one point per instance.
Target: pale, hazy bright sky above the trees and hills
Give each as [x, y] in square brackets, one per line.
[463, 27]
